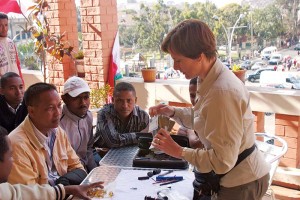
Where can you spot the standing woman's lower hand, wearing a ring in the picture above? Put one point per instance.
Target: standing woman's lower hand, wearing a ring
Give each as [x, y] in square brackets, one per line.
[164, 142]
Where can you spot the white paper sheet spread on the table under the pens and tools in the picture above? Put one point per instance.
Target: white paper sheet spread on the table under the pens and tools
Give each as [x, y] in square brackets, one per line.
[128, 187]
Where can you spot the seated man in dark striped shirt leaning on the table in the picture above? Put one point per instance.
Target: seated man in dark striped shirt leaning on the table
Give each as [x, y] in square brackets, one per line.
[118, 122]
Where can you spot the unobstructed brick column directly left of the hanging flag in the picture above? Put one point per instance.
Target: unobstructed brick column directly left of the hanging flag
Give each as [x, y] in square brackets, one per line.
[99, 27]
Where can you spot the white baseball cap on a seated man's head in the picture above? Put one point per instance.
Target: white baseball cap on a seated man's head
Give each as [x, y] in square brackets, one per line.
[74, 86]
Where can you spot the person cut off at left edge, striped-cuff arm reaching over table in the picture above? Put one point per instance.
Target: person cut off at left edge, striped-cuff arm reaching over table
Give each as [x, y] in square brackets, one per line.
[20, 191]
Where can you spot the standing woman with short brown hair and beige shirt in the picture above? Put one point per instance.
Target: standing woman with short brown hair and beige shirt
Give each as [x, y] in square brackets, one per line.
[222, 119]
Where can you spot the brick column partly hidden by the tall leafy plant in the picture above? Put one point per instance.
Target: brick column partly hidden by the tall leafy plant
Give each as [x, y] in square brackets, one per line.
[62, 18]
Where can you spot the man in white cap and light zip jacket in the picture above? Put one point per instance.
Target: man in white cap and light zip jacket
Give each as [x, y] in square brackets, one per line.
[77, 120]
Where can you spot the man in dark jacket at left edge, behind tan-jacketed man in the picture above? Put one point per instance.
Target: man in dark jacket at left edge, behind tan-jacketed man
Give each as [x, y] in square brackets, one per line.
[12, 107]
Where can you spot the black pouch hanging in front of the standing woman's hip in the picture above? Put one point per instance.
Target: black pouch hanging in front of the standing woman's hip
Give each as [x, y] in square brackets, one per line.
[205, 184]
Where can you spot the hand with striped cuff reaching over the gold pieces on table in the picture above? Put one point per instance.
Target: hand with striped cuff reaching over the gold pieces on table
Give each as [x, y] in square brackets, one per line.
[81, 190]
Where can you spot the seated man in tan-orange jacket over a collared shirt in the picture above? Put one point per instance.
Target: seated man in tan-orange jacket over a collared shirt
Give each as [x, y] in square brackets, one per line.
[41, 150]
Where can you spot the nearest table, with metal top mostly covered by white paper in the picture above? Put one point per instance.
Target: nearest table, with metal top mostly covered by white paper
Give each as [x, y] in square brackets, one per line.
[125, 186]
